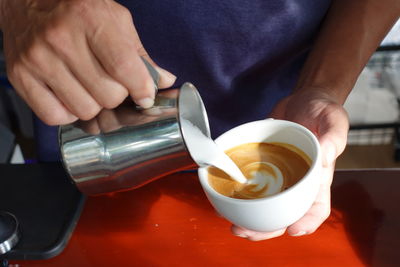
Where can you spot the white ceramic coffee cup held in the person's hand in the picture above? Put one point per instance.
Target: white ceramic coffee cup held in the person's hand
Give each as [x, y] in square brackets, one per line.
[280, 210]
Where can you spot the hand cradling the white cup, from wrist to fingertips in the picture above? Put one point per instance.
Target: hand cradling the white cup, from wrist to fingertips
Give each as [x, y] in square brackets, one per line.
[327, 119]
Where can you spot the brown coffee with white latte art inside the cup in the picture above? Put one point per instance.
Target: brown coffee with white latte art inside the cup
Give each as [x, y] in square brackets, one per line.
[269, 167]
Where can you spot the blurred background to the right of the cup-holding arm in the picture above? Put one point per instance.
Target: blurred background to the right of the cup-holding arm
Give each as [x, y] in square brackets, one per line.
[373, 108]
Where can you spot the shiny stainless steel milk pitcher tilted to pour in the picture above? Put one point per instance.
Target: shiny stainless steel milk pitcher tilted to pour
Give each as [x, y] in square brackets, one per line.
[128, 146]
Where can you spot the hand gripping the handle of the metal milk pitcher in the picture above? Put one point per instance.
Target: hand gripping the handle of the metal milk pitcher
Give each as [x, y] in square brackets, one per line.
[69, 59]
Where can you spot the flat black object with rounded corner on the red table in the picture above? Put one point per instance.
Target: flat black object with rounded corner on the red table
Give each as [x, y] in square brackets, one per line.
[46, 204]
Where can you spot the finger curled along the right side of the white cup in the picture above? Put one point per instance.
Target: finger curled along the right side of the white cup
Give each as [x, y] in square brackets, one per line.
[318, 212]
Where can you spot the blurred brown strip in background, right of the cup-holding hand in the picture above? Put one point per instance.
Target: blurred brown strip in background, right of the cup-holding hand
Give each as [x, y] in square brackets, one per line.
[371, 156]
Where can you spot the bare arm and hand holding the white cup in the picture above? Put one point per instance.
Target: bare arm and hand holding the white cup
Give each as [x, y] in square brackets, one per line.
[350, 34]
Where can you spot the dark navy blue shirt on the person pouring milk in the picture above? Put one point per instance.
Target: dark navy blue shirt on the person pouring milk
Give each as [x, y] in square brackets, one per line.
[243, 56]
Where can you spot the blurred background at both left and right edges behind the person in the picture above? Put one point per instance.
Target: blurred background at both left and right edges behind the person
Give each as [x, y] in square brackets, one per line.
[373, 107]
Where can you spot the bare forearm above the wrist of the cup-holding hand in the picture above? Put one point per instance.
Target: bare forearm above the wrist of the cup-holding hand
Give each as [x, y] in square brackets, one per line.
[349, 35]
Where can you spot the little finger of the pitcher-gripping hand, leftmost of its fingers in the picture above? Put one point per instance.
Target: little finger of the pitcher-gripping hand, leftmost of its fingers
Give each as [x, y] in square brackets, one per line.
[40, 99]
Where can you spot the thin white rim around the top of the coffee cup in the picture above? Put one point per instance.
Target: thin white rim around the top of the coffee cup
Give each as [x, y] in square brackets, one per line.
[203, 177]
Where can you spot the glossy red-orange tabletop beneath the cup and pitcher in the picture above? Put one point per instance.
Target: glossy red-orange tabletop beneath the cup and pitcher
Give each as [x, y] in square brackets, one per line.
[169, 222]
